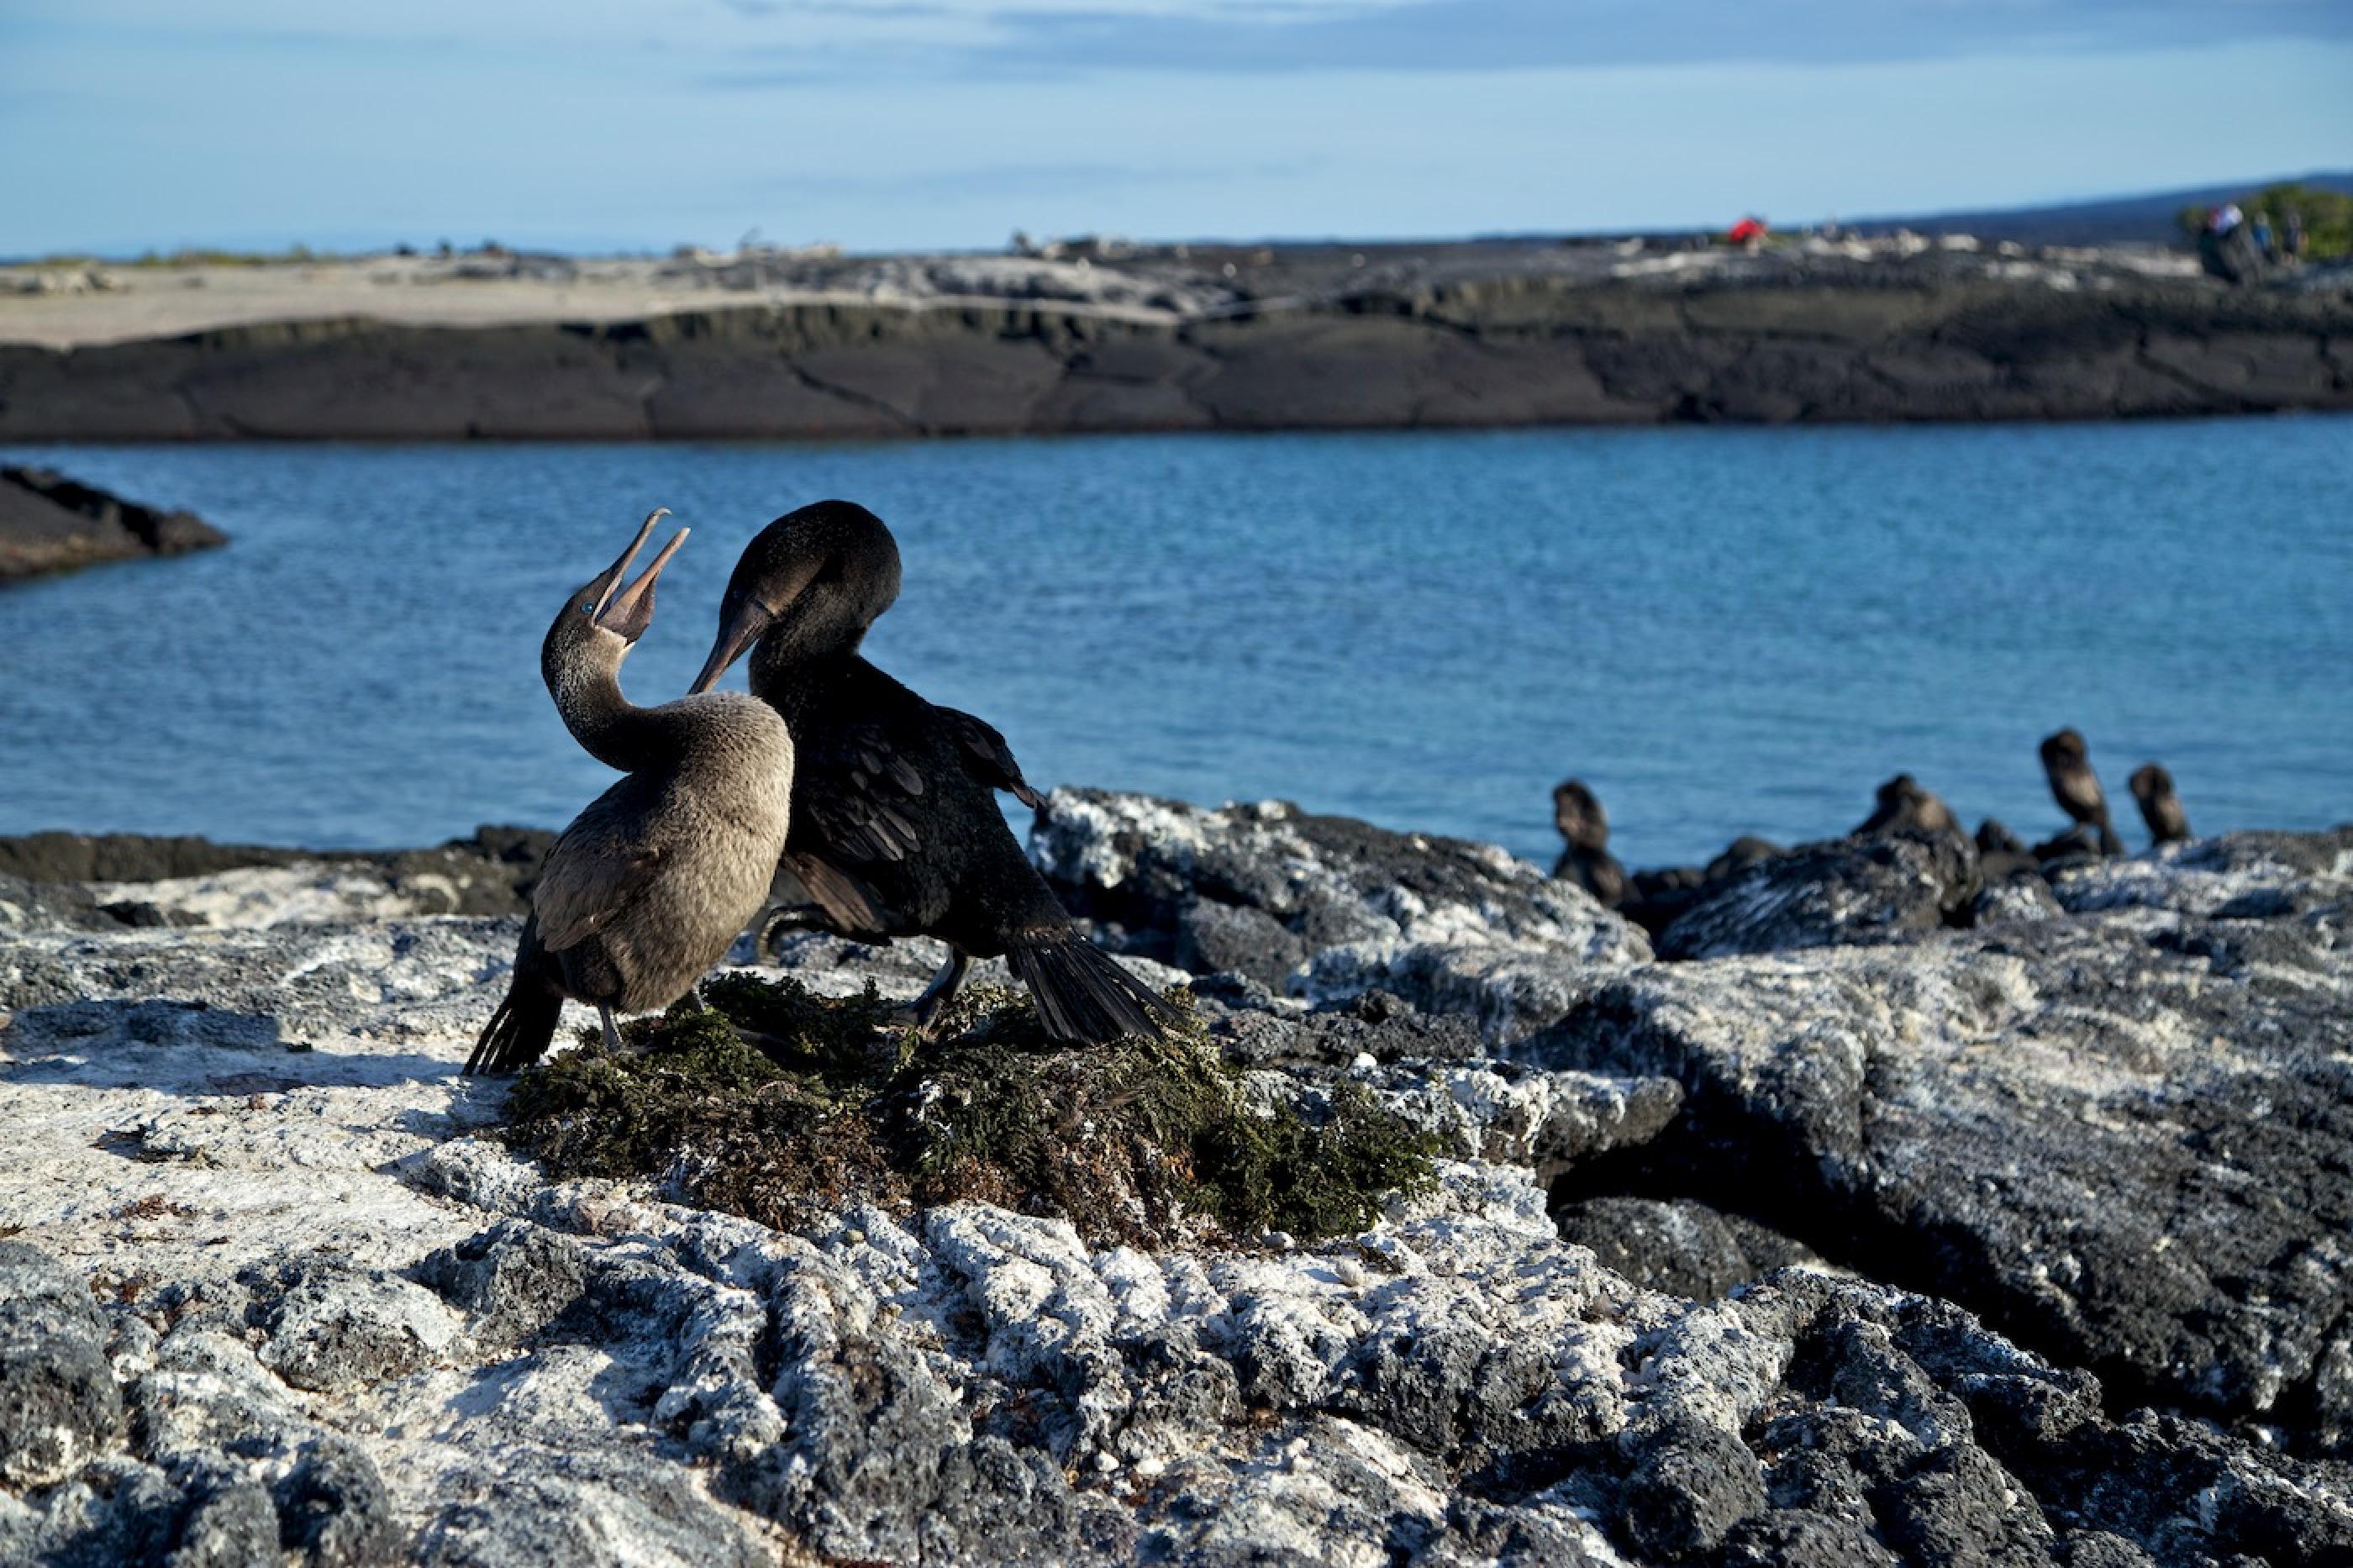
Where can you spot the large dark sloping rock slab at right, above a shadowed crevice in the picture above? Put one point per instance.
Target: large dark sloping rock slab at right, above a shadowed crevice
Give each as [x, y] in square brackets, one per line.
[2124, 1136]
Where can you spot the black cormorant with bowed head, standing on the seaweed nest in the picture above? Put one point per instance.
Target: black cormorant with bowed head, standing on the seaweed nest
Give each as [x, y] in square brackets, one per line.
[895, 816]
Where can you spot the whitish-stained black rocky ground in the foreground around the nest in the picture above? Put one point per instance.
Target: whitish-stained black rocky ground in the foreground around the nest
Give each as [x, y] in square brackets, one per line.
[1884, 1225]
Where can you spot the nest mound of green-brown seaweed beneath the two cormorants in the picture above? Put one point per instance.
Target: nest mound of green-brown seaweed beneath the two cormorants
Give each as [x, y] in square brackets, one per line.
[780, 1105]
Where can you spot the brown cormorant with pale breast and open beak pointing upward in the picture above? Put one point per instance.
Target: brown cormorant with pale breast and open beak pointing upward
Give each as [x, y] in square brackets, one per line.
[648, 886]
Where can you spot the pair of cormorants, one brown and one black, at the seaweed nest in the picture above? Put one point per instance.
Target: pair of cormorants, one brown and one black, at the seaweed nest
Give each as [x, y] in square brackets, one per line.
[832, 797]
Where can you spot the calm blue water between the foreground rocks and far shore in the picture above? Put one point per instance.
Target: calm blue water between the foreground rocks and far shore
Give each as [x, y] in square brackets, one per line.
[1719, 630]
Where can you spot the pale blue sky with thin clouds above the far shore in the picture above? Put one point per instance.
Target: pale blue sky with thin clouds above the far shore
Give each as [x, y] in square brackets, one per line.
[912, 124]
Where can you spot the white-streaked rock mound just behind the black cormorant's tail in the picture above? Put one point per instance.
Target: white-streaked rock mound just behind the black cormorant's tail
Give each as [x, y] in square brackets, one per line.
[1331, 908]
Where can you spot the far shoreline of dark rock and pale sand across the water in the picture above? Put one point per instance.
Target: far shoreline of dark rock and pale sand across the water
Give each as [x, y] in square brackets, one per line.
[775, 345]
